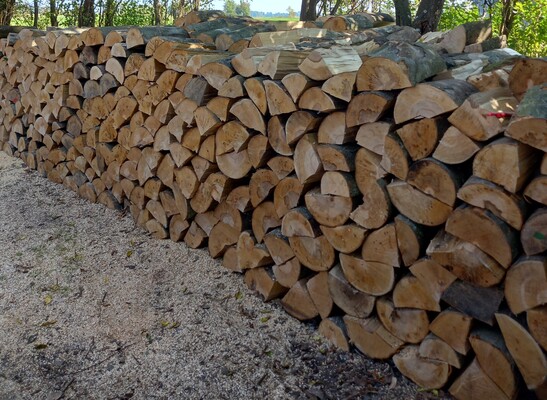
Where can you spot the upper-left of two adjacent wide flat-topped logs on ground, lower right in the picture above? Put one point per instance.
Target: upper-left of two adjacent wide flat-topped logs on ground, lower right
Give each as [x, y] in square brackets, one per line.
[371, 338]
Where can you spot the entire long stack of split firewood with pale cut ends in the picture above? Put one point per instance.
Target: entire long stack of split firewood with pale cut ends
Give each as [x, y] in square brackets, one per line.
[393, 189]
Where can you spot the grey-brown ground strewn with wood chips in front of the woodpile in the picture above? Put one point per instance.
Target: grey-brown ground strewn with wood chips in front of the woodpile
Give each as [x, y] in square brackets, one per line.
[93, 308]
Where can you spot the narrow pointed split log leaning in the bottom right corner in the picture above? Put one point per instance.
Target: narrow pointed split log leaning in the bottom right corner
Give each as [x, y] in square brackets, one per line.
[528, 356]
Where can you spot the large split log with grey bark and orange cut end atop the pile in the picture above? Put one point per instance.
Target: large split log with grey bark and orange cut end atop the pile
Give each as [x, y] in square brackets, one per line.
[398, 65]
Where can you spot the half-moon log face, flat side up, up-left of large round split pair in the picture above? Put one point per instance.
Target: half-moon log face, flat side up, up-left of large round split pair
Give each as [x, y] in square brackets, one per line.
[416, 205]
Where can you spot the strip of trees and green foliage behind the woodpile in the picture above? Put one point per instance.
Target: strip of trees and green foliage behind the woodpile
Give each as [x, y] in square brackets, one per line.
[524, 22]
